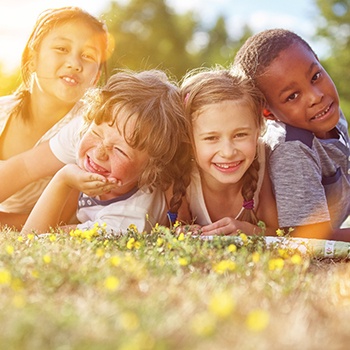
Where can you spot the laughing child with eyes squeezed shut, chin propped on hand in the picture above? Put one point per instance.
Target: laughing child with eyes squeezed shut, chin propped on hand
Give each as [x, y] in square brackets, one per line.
[132, 129]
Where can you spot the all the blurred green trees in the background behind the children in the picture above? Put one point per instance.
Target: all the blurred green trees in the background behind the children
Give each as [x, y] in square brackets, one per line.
[150, 34]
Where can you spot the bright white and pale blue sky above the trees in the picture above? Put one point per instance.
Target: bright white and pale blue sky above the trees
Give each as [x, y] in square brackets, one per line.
[17, 17]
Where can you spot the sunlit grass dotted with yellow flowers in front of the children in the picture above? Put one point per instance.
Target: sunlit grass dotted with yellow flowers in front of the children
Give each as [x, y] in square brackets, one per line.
[161, 291]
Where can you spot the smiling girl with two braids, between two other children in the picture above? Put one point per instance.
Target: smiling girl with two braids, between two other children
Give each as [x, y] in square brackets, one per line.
[229, 190]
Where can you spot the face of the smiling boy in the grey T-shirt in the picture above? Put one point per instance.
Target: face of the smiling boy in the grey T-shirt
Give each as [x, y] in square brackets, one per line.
[299, 92]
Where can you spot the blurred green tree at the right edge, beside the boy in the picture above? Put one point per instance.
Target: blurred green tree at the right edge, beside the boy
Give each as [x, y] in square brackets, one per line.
[334, 27]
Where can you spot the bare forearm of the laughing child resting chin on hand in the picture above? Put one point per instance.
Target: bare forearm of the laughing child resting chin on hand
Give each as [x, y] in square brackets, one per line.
[55, 202]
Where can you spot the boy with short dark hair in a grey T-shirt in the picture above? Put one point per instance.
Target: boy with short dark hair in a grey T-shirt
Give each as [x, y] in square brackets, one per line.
[307, 134]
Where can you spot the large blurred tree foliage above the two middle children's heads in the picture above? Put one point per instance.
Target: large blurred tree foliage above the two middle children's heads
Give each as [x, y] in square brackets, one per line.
[150, 34]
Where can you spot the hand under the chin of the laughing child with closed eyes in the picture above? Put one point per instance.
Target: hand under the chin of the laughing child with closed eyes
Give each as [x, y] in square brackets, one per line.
[89, 183]
